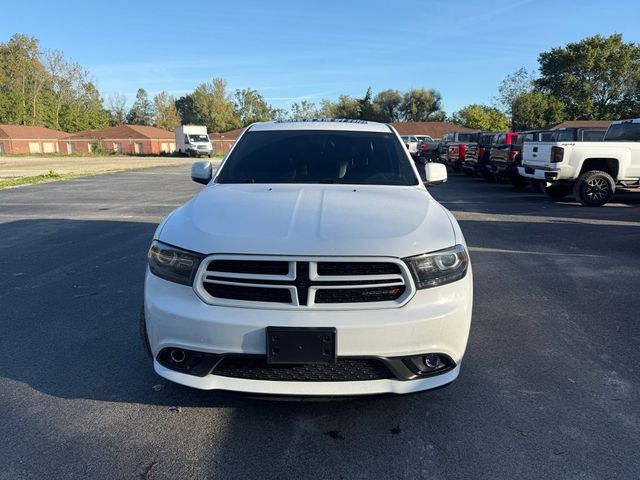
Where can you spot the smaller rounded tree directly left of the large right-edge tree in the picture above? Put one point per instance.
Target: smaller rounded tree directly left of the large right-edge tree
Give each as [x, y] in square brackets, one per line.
[534, 110]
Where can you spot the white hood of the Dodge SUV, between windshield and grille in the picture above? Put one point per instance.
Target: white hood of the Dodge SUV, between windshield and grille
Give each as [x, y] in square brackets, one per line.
[310, 220]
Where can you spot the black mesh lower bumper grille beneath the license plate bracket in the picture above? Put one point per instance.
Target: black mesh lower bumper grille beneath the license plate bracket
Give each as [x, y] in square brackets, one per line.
[344, 370]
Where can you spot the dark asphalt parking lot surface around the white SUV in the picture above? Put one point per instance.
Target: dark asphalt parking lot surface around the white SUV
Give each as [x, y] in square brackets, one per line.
[549, 387]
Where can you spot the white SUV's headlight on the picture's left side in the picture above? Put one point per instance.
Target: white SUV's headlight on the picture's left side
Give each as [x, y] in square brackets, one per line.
[172, 263]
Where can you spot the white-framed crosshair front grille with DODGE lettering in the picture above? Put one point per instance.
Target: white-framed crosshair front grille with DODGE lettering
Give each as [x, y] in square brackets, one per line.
[300, 282]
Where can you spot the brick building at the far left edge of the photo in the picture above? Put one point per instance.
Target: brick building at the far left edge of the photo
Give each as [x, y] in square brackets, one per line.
[25, 139]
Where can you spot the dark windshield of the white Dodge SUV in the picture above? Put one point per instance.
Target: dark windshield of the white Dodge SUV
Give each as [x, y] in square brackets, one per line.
[318, 156]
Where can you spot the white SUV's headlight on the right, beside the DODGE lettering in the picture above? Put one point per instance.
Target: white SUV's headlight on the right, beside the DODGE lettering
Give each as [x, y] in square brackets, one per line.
[439, 268]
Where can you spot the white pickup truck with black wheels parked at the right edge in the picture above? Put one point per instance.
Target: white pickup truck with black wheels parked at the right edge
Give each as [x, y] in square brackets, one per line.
[591, 170]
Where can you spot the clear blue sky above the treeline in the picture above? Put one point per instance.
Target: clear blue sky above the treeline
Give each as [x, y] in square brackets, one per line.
[294, 50]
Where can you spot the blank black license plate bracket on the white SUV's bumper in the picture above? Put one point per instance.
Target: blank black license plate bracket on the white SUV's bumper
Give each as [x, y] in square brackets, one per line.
[300, 345]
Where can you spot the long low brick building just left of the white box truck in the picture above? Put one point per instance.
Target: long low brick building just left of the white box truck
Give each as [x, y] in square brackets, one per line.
[123, 139]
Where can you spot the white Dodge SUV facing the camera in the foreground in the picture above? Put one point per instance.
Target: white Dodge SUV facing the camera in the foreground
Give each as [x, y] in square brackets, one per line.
[314, 262]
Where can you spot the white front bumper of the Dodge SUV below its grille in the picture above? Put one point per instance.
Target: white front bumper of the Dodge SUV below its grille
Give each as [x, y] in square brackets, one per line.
[435, 320]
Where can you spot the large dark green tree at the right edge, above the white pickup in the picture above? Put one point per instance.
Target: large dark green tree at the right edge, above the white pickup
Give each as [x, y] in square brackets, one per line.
[595, 78]
